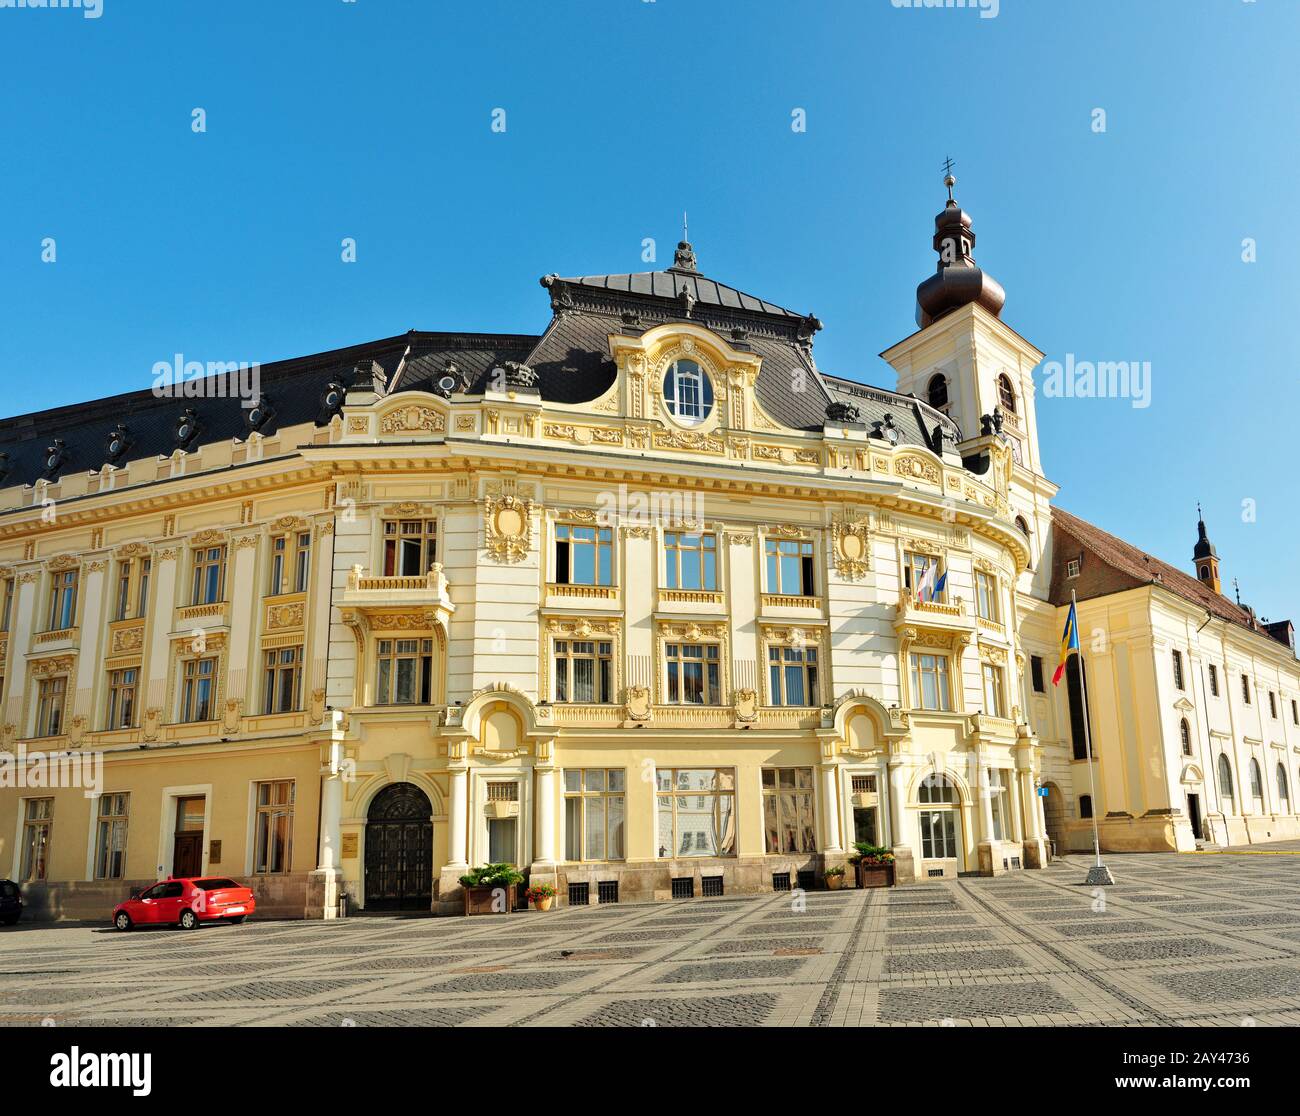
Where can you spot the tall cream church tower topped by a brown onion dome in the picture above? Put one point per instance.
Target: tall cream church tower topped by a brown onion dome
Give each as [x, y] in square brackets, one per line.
[970, 365]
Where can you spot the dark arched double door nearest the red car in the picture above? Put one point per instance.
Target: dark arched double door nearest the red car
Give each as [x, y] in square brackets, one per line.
[400, 850]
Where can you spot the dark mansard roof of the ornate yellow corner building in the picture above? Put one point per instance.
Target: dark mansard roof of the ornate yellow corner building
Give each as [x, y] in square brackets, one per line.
[571, 362]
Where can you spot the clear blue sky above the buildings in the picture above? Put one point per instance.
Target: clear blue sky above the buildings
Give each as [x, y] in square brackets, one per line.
[372, 120]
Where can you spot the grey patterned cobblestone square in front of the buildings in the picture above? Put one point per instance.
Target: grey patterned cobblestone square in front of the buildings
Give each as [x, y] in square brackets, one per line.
[1178, 941]
